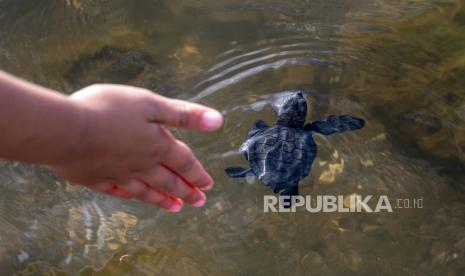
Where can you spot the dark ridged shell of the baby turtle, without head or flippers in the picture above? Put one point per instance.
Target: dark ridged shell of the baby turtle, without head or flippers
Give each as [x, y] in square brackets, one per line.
[281, 156]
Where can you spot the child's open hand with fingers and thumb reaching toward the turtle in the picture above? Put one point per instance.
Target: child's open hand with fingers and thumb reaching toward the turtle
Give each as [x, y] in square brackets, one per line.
[124, 149]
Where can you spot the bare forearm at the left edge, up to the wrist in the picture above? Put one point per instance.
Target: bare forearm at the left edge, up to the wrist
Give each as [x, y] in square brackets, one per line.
[42, 126]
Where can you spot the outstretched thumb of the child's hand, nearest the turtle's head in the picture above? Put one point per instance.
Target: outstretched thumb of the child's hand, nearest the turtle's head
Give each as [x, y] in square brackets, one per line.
[183, 114]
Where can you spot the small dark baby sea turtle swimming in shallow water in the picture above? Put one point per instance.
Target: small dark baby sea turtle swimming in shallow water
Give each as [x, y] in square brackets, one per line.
[282, 154]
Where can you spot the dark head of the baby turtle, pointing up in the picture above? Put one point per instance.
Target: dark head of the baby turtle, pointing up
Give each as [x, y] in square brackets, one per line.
[292, 111]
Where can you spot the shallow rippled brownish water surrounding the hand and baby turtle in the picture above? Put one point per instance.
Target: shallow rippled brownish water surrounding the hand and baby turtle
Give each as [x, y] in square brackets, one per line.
[397, 64]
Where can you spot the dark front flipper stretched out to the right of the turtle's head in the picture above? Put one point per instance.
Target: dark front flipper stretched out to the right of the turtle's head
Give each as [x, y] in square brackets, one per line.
[335, 124]
